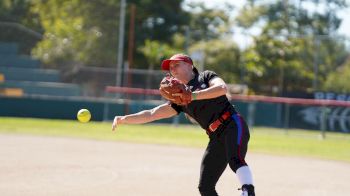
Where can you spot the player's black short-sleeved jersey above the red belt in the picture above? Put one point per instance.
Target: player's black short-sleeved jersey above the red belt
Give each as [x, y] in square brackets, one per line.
[207, 110]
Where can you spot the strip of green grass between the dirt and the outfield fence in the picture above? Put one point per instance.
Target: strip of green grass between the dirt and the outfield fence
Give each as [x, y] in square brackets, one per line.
[336, 146]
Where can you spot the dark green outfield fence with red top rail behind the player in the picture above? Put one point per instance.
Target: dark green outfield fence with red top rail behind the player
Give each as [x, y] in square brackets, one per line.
[287, 113]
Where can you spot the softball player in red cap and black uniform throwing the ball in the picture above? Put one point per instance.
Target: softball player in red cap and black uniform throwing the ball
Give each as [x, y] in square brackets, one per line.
[227, 130]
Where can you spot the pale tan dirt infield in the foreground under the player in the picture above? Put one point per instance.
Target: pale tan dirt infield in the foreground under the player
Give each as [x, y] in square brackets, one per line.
[37, 166]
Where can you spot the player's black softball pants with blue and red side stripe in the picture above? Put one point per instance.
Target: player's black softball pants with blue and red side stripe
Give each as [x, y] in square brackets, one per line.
[227, 145]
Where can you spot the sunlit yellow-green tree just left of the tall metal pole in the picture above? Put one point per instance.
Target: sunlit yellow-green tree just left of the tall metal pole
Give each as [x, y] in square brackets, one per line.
[77, 31]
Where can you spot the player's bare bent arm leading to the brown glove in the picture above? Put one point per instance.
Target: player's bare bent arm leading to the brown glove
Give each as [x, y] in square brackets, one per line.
[217, 87]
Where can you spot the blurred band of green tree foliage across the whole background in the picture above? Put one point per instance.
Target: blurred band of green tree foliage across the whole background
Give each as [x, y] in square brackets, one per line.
[295, 49]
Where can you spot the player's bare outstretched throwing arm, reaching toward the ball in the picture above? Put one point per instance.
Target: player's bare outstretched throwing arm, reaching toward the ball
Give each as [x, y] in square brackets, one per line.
[162, 111]
